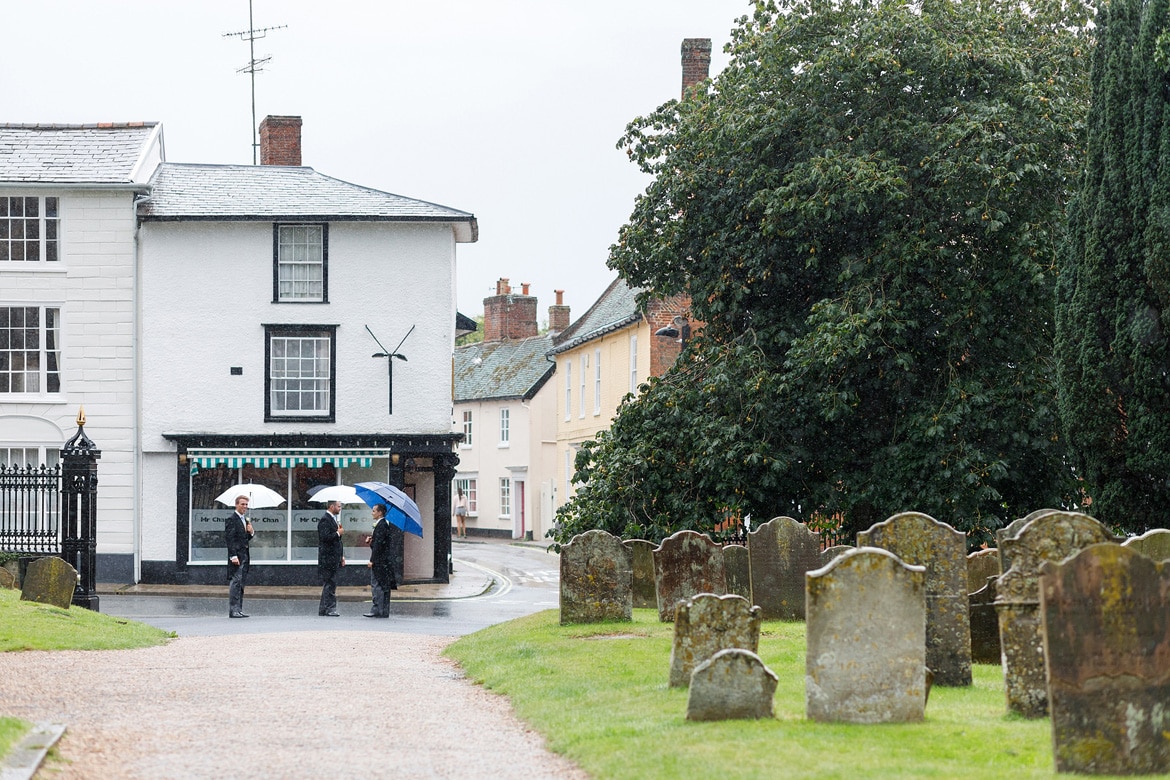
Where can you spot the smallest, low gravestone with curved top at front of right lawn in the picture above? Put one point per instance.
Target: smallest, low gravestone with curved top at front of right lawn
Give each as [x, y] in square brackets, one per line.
[733, 685]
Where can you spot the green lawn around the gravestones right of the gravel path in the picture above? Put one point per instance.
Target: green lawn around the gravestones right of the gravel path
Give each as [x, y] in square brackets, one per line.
[600, 696]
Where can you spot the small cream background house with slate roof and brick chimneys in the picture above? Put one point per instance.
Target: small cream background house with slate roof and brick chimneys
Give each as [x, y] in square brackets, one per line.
[505, 409]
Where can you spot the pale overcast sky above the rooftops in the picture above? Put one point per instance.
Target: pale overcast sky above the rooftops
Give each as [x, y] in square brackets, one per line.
[508, 109]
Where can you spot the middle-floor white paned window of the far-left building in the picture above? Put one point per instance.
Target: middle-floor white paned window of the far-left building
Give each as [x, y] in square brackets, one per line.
[46, 377]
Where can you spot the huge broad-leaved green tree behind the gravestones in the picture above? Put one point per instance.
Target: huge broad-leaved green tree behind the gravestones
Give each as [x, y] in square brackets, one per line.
[864, 209]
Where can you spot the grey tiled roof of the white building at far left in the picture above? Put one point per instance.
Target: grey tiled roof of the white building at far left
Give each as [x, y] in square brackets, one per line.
[98, 154]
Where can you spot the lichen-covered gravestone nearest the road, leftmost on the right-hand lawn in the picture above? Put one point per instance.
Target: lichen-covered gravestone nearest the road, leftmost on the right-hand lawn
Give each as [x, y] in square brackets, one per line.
[595, 579]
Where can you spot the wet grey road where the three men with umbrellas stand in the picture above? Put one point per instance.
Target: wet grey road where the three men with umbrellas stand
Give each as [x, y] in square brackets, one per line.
[526, 582]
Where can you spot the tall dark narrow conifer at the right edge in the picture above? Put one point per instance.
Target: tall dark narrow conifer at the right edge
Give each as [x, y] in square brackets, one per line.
[1113, 306]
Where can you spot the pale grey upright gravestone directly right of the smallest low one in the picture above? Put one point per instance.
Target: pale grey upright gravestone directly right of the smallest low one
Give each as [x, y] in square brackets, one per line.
[866, 640]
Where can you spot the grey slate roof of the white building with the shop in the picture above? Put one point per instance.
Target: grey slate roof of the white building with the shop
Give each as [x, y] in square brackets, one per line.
[267, 192]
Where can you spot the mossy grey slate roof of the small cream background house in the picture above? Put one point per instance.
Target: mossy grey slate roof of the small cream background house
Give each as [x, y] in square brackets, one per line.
[513, 369]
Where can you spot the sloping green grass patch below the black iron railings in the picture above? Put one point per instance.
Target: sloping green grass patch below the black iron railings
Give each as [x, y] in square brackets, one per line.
[32, 626]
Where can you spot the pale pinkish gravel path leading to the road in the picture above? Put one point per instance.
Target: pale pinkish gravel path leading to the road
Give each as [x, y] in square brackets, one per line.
[321, 705]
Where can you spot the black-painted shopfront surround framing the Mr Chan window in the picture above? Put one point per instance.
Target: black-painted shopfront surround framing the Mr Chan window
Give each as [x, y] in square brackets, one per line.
[410, 448]
